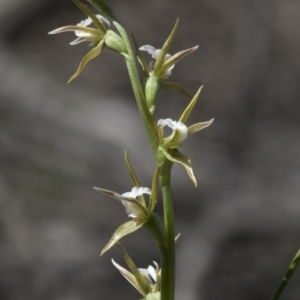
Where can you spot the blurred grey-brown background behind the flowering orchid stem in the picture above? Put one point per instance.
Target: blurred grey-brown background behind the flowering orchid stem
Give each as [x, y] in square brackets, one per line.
[240, 228]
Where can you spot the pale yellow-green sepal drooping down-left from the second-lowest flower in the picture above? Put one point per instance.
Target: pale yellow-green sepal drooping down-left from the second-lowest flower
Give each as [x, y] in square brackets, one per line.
[123, 230]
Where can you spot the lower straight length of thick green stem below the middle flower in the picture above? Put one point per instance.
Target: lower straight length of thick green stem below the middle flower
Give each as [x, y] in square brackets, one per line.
[168, 277]
